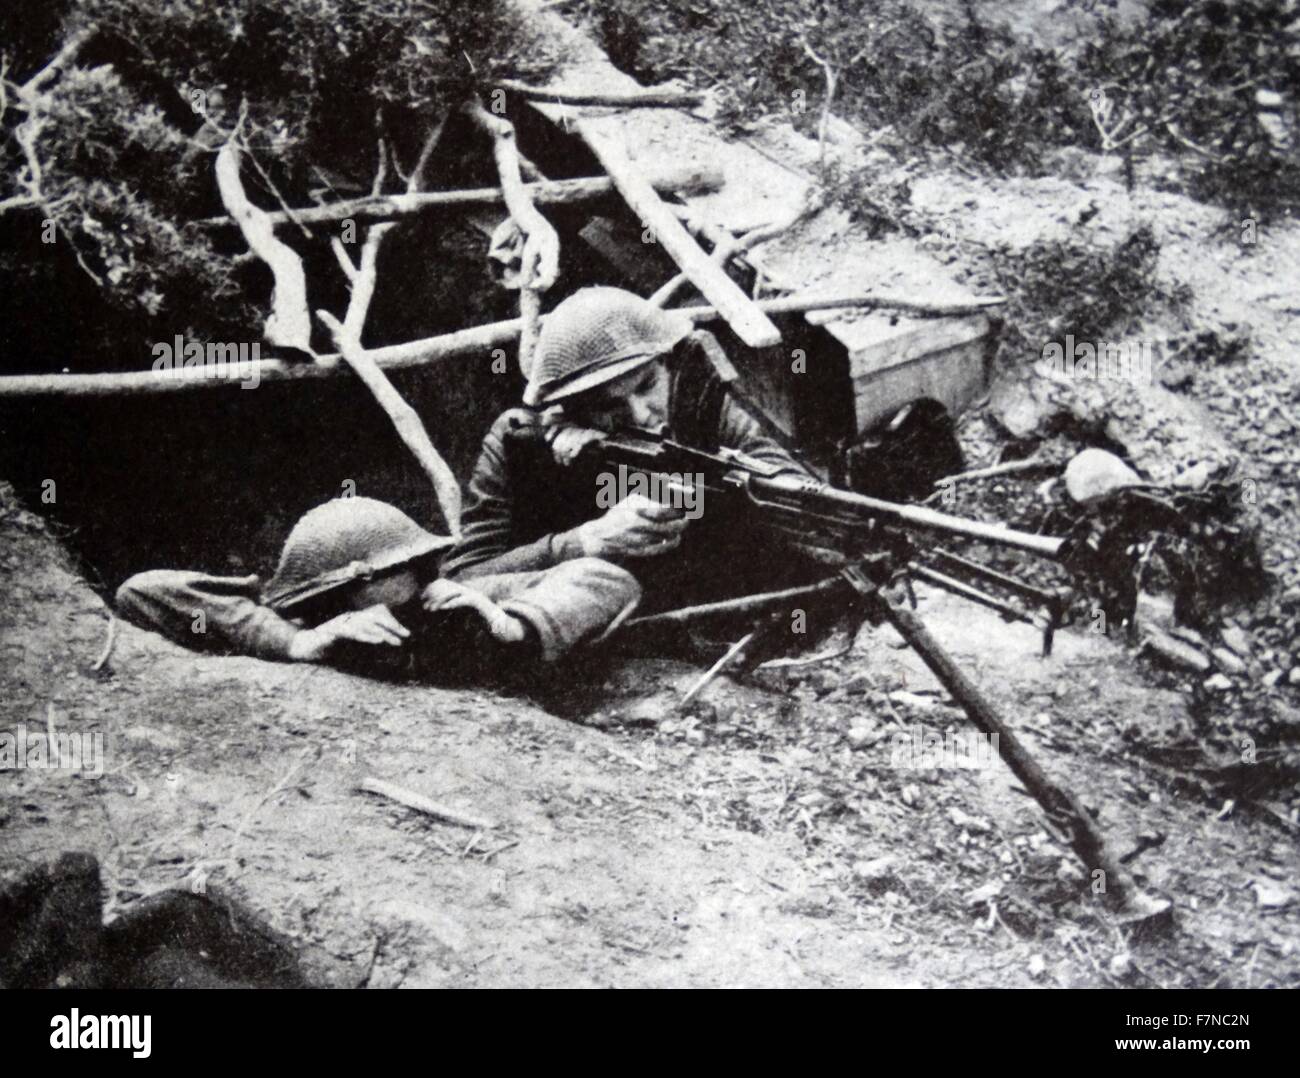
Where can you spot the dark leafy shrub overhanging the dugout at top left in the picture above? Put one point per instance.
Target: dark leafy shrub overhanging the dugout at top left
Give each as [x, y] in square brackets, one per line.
[127, 136]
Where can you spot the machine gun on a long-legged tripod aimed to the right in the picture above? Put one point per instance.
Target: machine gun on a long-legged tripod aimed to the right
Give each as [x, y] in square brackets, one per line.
[876, 547]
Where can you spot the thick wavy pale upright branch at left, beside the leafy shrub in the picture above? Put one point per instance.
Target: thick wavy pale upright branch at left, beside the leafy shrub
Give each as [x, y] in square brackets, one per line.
[289, 324]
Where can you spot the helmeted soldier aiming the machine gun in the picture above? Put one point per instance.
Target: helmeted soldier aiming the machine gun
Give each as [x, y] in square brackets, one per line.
[608, 360]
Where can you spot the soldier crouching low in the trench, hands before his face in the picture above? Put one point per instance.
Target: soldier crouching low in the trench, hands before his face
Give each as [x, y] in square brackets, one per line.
[358, 587]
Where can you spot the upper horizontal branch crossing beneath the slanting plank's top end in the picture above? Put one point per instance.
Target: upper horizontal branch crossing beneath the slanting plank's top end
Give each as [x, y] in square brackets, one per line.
[686, 180]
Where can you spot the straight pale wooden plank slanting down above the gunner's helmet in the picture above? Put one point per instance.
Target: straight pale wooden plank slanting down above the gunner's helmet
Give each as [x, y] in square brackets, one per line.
[740, 313]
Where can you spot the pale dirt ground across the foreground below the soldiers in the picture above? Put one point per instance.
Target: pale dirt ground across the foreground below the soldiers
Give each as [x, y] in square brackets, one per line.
[740, 847]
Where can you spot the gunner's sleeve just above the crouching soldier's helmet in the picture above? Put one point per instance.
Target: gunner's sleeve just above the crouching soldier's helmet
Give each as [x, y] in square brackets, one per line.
[492, 535]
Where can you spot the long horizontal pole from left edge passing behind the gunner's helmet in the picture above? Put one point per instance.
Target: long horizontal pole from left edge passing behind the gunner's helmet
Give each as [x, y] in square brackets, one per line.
[419, 354]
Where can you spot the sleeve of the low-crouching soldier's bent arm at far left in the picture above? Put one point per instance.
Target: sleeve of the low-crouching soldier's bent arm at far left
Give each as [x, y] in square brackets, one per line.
[207, 613]
